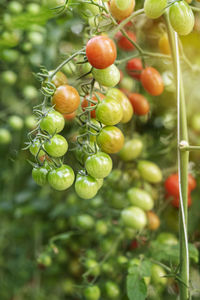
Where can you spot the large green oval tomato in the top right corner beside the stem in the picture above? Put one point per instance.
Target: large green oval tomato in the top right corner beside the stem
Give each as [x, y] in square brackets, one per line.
[181, 17]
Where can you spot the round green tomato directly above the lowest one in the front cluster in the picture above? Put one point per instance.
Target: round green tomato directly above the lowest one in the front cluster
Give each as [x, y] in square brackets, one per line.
[99, 165]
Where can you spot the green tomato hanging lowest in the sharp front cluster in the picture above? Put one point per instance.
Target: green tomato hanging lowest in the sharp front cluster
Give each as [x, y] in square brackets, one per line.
[86, 186]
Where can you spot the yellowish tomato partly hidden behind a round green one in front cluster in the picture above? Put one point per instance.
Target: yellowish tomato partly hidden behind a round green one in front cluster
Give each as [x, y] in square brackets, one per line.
[121, 98]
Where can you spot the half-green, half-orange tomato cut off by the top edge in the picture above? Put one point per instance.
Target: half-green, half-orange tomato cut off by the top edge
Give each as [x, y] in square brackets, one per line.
[121, 9]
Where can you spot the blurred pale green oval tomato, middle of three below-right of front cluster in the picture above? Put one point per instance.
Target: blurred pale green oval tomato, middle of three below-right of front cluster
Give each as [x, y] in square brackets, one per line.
[140, 198]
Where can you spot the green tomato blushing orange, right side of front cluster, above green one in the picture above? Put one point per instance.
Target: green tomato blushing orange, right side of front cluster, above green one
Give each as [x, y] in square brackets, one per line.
[110, 139]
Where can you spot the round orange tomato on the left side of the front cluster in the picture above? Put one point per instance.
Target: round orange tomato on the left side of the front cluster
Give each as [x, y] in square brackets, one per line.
[66, 99]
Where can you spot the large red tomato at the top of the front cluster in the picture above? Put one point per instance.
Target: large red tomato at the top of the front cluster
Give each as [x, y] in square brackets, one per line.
[101, 52]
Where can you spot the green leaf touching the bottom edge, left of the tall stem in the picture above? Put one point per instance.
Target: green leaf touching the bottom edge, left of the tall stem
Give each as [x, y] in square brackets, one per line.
[136, 287]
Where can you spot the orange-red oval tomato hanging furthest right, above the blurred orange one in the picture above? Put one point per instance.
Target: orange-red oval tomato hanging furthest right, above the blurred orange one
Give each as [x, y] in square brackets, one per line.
[152, 81]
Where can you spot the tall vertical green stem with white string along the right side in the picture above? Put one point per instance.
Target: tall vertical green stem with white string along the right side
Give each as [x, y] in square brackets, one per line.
[183, 159]
